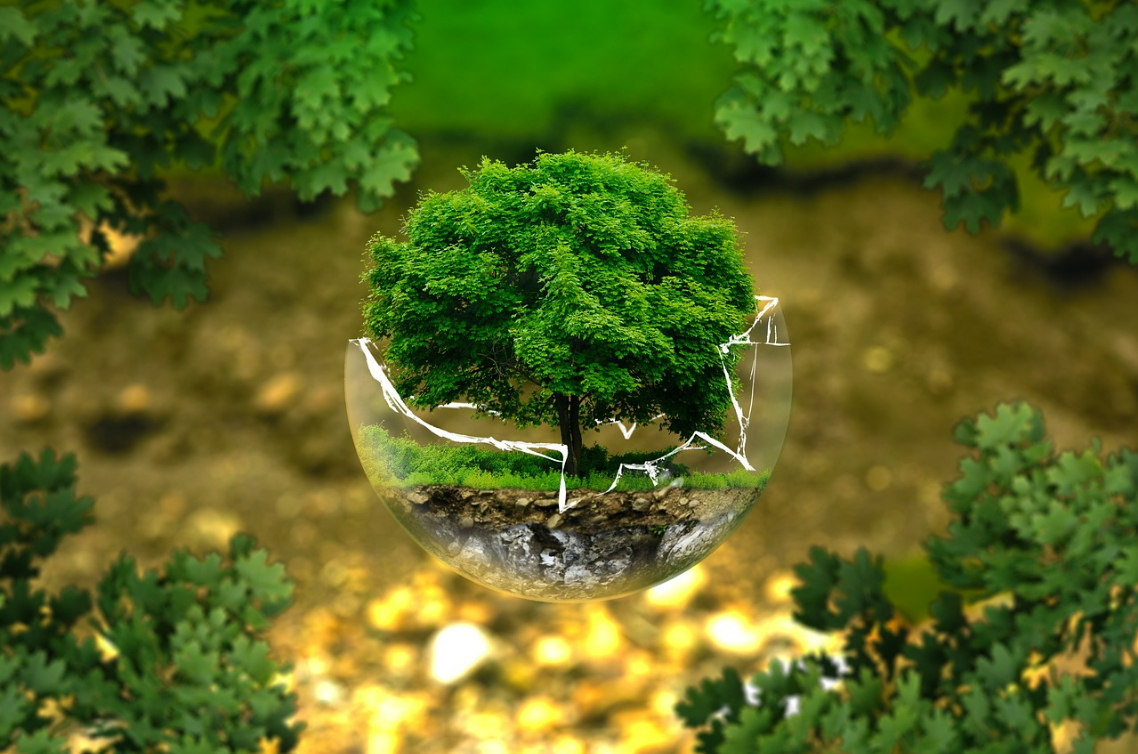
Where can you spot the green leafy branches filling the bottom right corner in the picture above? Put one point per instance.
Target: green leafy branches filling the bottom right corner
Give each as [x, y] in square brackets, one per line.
[1050, 542]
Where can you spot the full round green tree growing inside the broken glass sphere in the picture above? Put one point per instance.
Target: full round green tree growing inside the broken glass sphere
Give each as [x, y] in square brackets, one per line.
[565, 293]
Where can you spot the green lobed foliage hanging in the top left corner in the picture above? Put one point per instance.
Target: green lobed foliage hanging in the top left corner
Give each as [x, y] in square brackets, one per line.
[96, 98]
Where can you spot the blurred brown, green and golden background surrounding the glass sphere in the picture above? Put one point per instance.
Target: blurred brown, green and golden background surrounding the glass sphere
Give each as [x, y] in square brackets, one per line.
[229, 417]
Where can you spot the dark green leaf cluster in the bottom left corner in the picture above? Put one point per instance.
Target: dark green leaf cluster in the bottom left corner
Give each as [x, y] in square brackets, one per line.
[163, 660]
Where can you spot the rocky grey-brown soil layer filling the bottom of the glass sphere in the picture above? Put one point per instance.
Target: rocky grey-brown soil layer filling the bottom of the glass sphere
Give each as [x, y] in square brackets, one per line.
[603, 545]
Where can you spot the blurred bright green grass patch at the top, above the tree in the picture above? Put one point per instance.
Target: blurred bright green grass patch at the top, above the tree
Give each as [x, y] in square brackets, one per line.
[506, 70]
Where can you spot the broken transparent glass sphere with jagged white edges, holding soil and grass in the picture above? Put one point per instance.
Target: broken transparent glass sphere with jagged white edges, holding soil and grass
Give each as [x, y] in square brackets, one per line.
[494, 502]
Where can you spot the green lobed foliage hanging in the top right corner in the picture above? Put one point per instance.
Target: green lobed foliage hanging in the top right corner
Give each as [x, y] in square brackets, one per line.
[1052, 80]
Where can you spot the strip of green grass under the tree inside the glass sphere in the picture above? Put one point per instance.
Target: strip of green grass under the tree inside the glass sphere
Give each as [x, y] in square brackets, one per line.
[401, 462]
